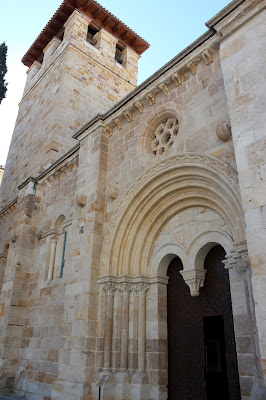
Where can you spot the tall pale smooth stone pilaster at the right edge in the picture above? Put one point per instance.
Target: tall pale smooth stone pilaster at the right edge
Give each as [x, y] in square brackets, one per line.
[242, 63]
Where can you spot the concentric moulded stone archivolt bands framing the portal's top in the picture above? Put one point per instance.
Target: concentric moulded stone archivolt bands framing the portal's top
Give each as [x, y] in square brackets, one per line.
[169, 187]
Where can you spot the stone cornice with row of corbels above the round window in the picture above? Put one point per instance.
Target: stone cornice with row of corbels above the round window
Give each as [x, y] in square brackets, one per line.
[164, 84]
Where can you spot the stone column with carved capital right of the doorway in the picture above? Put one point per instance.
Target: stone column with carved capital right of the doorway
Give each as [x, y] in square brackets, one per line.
[250, 370]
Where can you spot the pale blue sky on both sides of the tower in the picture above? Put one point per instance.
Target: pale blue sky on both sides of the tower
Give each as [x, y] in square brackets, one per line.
[169, 26]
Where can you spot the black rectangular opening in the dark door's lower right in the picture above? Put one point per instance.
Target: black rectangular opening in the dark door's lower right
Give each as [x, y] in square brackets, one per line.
[215, 361]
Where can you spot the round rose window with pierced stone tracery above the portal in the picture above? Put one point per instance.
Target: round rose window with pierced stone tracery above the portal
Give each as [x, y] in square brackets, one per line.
[164, 136]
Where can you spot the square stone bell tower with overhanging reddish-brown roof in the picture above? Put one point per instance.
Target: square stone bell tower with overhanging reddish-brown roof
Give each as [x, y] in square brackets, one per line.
[83, 62]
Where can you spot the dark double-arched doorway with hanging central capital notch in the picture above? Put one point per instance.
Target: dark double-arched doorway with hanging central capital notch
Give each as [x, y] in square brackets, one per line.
[202, 362]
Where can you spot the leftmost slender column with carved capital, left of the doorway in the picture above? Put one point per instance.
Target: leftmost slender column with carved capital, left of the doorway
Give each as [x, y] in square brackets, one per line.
[109, 289]
